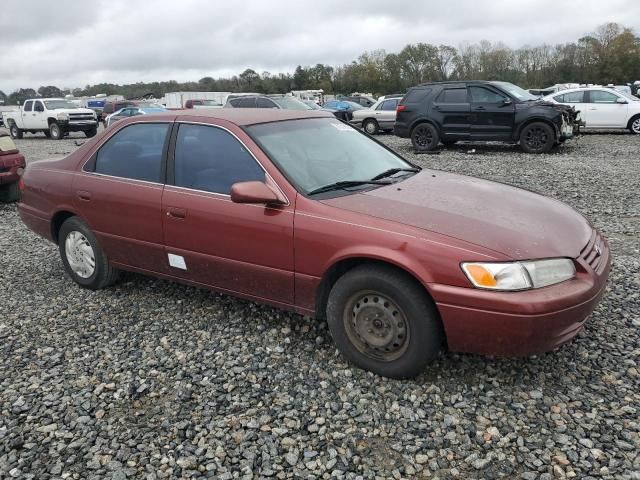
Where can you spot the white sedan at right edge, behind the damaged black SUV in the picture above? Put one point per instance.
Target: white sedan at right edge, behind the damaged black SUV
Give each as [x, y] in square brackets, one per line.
[601, 107]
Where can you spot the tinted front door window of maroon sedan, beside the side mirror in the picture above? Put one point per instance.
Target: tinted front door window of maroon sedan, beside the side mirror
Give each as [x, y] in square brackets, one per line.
[211, 159]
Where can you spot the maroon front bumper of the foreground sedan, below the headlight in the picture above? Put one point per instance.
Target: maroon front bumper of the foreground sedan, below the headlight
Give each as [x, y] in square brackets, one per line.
[521, 323]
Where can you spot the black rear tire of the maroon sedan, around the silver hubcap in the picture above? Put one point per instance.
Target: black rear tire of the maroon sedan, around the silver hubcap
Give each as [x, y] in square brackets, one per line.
[103, 274]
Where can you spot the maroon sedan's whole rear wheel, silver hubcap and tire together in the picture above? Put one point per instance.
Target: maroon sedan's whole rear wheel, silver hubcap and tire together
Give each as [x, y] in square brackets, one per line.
[83, 258]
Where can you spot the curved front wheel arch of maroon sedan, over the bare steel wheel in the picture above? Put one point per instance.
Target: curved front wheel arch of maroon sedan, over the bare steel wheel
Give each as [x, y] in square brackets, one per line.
[342, 265]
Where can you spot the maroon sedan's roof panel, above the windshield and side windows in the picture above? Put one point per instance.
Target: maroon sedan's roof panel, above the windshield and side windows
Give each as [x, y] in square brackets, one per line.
[244, 116]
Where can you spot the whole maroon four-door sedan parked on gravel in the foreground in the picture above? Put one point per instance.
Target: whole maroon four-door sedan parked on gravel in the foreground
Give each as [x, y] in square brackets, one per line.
[299, 210]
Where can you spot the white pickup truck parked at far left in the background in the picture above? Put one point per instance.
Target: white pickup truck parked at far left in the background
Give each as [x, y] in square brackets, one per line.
[55, 117]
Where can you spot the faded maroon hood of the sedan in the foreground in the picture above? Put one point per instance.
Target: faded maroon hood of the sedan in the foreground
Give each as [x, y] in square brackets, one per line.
[514, 222]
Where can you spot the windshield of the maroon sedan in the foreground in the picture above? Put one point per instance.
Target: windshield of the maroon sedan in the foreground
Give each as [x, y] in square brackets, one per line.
[315, 152]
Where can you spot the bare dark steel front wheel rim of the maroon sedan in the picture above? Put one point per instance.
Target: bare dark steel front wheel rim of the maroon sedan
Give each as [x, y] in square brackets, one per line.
[376, 326]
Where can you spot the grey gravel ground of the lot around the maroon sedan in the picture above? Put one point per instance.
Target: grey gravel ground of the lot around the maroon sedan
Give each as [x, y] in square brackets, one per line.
[152, 379]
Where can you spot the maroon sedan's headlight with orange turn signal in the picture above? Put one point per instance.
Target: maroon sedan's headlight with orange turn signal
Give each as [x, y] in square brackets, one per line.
[519, 275]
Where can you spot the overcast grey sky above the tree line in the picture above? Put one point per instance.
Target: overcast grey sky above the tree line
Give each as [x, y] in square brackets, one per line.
[72, 43]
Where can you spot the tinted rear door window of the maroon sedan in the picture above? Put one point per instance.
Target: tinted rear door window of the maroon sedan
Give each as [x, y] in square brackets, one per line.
[134, 152]
